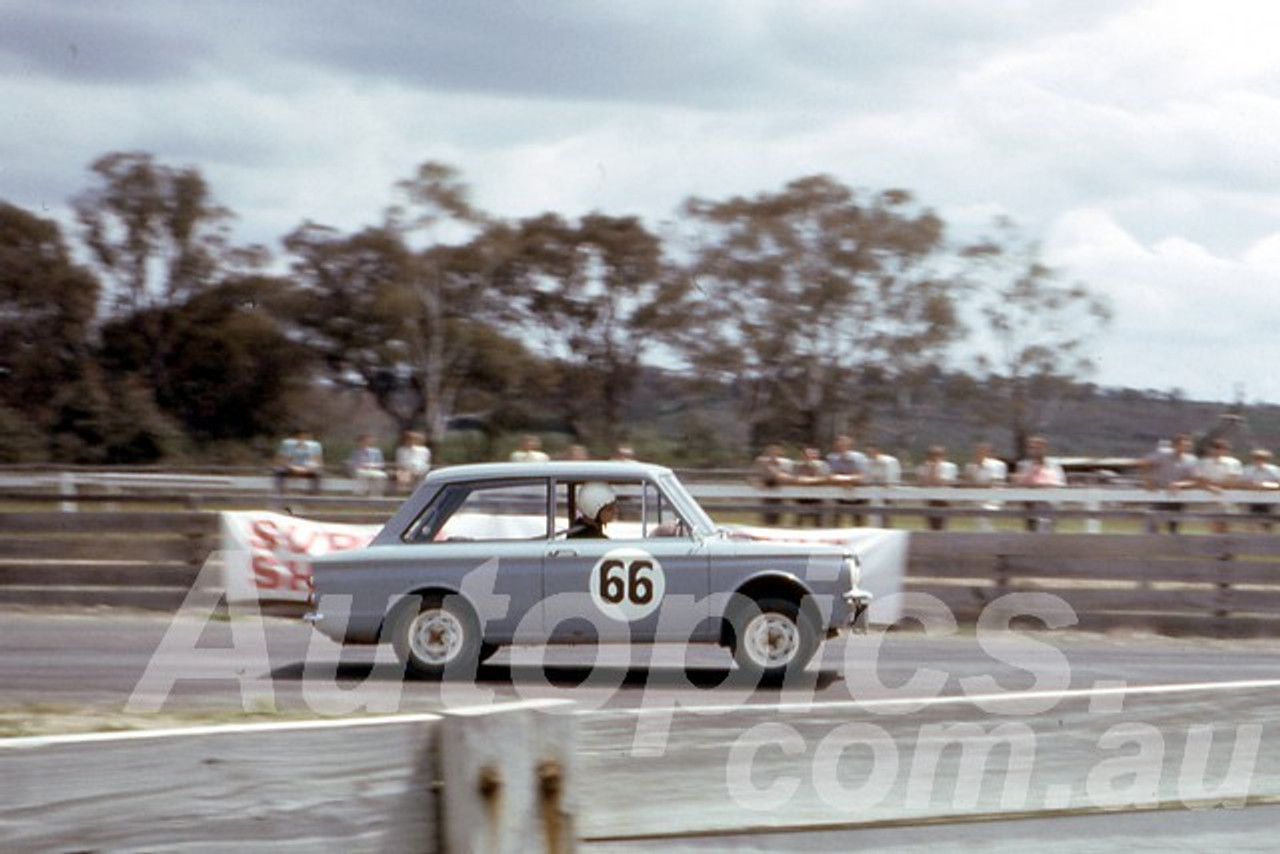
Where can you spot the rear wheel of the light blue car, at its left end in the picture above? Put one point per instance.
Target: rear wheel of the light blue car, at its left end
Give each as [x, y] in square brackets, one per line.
[440, 638]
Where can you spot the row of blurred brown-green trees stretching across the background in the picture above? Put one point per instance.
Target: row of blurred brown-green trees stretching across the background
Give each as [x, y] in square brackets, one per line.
[807, 308]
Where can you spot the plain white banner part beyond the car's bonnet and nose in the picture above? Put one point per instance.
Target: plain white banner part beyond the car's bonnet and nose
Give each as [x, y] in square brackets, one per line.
[883, 555]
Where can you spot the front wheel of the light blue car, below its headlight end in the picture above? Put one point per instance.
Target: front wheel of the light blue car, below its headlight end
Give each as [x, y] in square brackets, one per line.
[774, 638]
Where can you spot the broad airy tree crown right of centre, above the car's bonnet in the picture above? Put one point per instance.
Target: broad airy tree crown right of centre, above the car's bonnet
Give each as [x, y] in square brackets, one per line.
[802, 291]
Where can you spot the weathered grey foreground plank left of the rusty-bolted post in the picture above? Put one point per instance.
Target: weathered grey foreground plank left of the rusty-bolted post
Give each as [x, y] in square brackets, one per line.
[350, 789]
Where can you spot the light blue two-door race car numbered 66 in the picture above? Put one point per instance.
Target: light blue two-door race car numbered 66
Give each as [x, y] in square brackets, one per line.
[484, 556]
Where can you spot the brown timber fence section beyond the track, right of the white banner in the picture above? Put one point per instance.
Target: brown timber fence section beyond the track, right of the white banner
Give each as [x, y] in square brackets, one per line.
[1215, 586]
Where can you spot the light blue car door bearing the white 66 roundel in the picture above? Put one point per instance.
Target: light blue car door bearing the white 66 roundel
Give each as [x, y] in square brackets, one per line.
[646, 582]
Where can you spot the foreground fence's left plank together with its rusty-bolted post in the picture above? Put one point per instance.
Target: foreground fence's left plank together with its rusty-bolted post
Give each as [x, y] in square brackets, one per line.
[495, 782]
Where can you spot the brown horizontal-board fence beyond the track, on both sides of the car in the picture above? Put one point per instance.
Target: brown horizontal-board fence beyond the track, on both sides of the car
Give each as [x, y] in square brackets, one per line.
[1208, 584]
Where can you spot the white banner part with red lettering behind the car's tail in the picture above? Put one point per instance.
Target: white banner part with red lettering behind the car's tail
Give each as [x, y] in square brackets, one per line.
[267, 558]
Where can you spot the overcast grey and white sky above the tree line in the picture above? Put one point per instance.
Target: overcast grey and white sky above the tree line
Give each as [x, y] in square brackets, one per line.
[1139, 140]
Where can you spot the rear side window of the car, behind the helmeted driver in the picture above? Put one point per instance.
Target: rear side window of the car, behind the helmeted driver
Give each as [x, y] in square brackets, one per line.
[484, 512]
